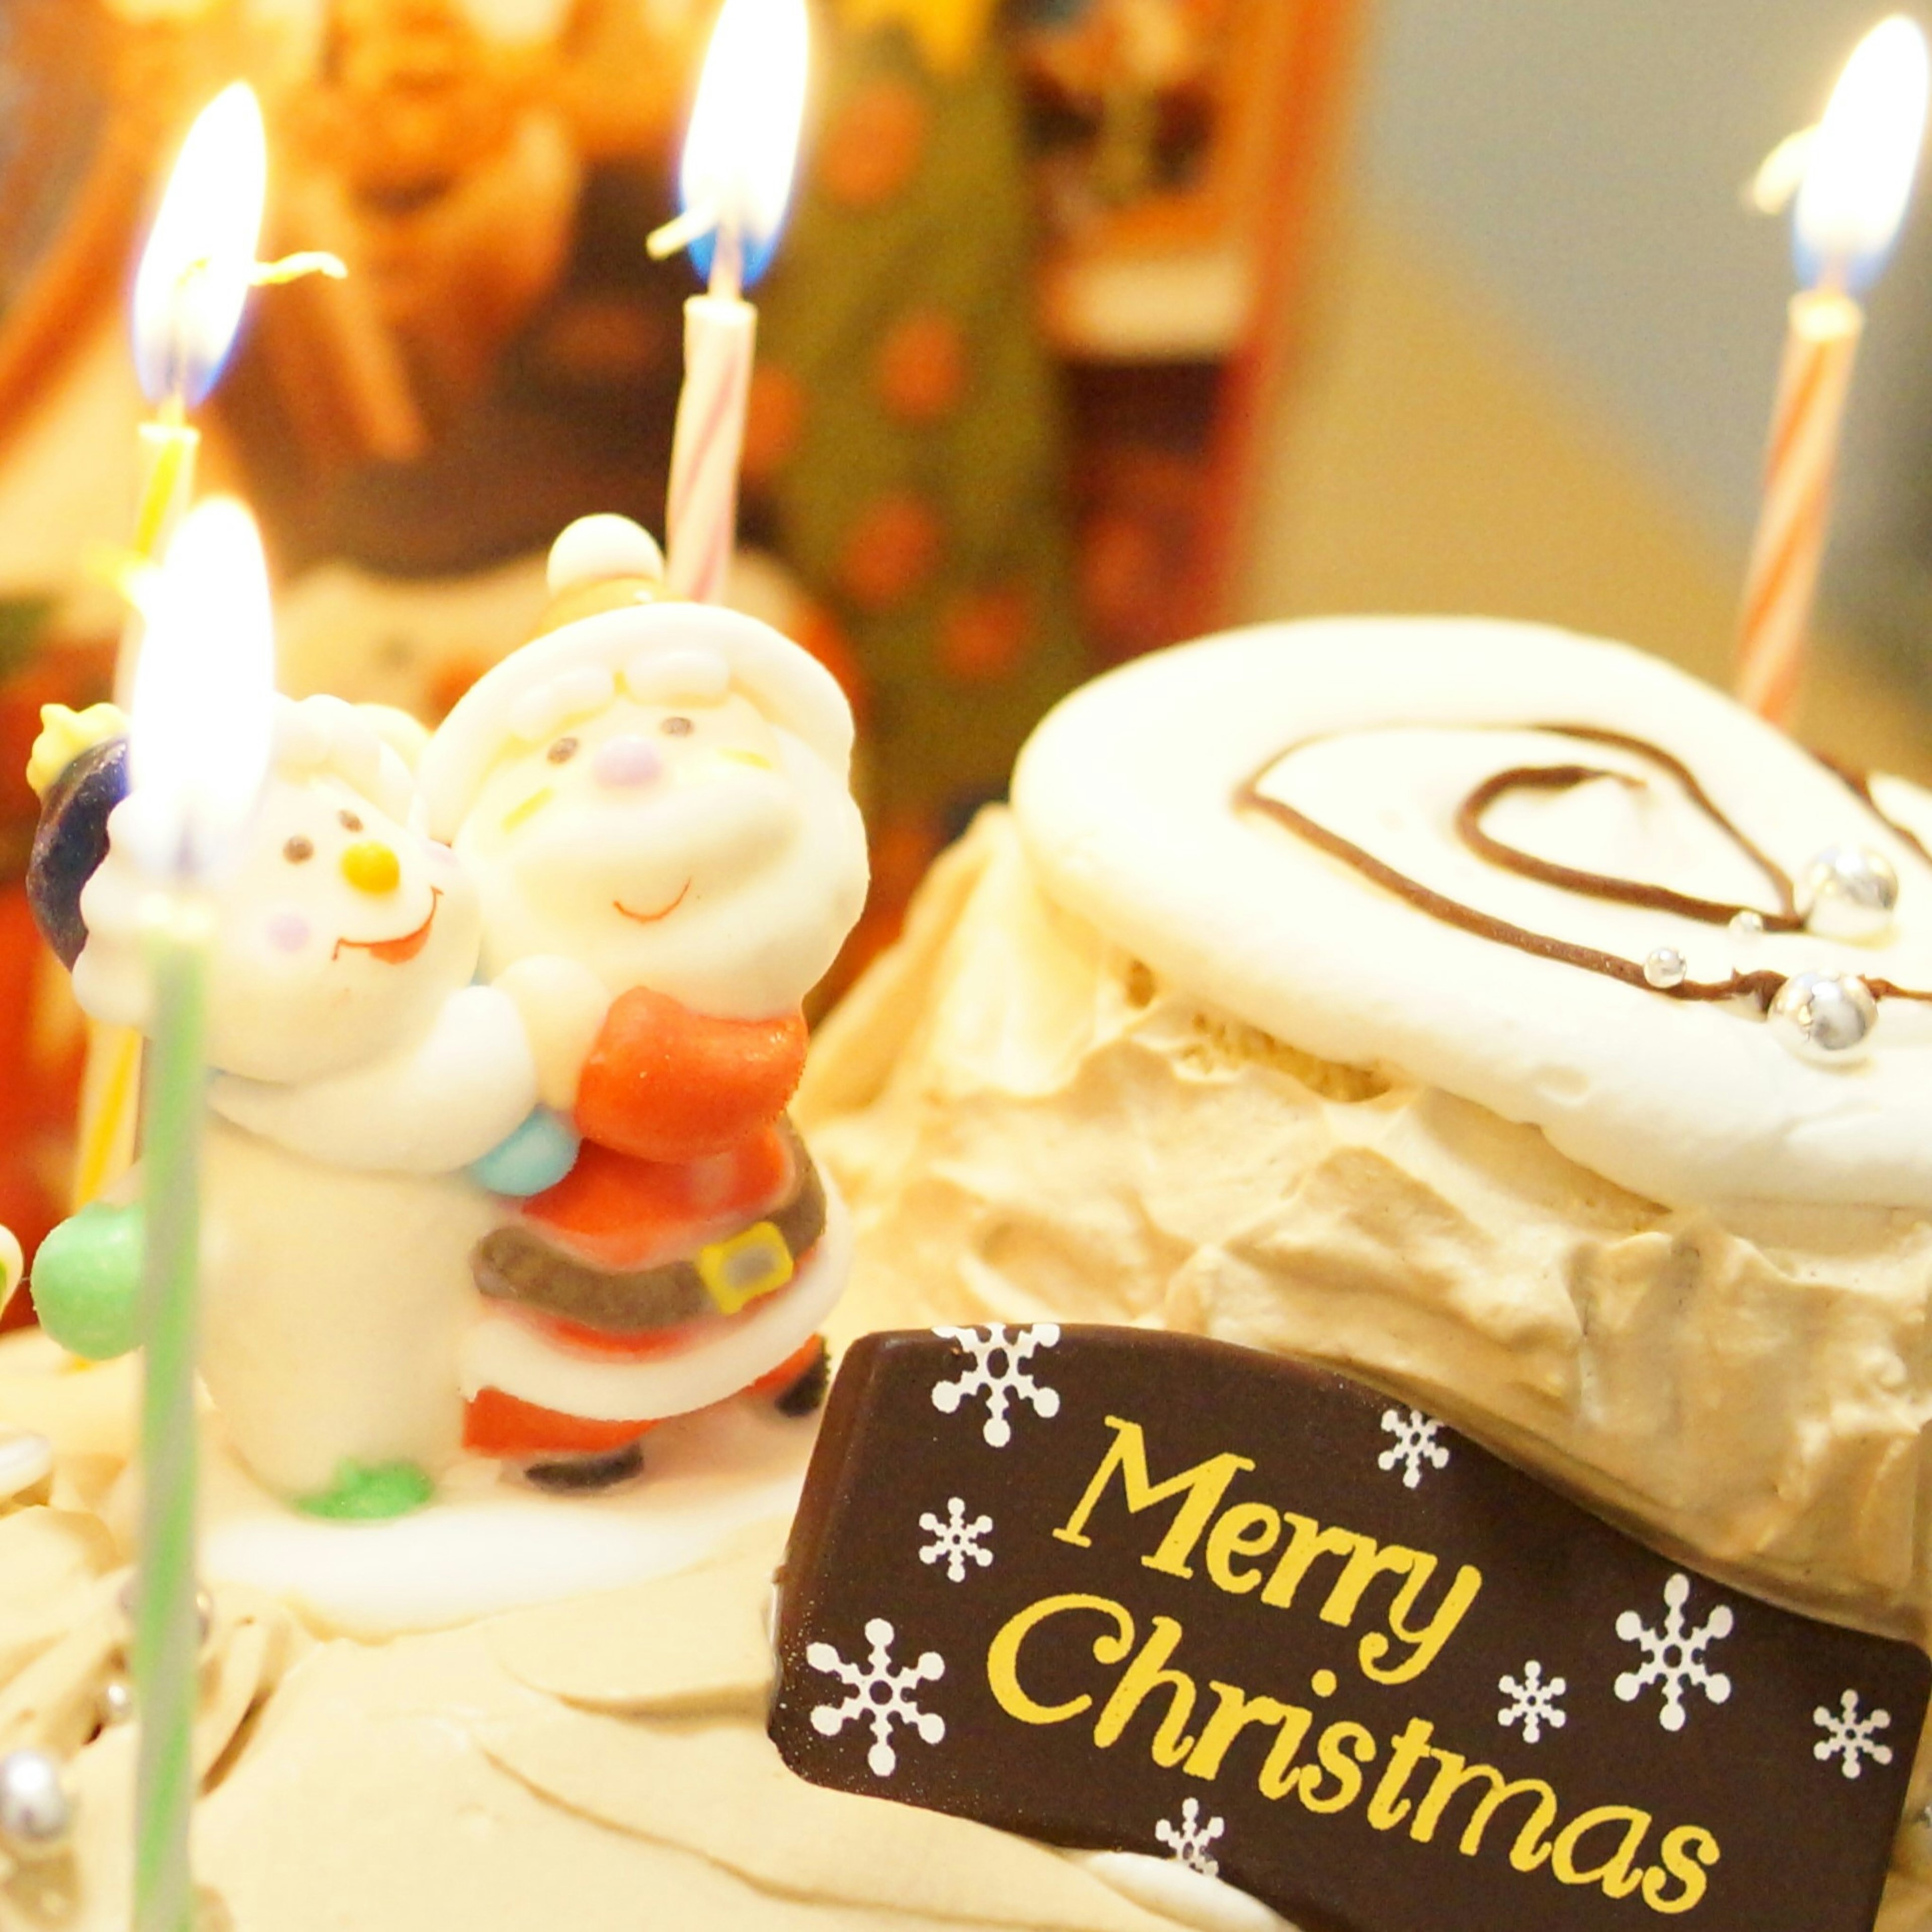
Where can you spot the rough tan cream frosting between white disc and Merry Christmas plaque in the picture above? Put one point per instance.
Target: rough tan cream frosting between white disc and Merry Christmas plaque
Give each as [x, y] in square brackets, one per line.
[1031, 1122]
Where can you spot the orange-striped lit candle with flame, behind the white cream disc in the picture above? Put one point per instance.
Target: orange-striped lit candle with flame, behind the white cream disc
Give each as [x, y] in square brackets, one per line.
[1858, 179]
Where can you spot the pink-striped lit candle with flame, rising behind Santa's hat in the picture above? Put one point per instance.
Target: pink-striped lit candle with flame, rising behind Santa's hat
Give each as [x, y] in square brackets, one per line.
[735, 185]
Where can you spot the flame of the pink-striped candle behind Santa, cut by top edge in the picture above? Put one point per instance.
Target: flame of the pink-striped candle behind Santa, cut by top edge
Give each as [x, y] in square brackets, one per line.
[741, 150]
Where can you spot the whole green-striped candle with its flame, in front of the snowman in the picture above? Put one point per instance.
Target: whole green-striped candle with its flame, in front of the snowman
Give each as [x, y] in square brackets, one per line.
[198, 758]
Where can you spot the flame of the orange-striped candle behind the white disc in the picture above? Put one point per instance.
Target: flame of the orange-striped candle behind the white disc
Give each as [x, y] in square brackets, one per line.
[1863, 161]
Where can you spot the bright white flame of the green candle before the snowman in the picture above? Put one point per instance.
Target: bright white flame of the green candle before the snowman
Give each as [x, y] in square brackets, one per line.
[204, 698]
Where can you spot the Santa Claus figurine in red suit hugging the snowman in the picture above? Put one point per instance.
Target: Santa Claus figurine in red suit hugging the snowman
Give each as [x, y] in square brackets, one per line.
[654, 803]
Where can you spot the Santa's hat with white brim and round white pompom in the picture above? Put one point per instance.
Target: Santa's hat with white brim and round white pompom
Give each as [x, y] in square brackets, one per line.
[611, 629]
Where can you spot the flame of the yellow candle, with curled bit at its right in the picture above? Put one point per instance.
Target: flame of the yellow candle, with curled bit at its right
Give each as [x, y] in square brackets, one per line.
[200, 258]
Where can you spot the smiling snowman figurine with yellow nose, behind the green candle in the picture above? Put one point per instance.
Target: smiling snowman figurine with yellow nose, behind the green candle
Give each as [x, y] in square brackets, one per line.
[356, 1075]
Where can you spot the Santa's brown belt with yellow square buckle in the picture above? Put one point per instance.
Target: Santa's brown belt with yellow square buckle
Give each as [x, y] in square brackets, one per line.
[519, 1264]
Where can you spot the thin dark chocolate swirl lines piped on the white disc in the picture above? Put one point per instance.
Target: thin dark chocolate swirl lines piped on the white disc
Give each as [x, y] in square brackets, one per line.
[1784, 917]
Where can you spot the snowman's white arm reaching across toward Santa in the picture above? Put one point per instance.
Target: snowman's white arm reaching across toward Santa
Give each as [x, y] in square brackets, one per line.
[434, 1108]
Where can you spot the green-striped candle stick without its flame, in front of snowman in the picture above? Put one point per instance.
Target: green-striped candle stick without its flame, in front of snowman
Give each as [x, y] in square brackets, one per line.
[165, 1630]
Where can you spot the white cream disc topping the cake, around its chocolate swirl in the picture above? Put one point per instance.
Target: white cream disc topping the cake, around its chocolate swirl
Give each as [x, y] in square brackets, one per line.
[1380, 729]
